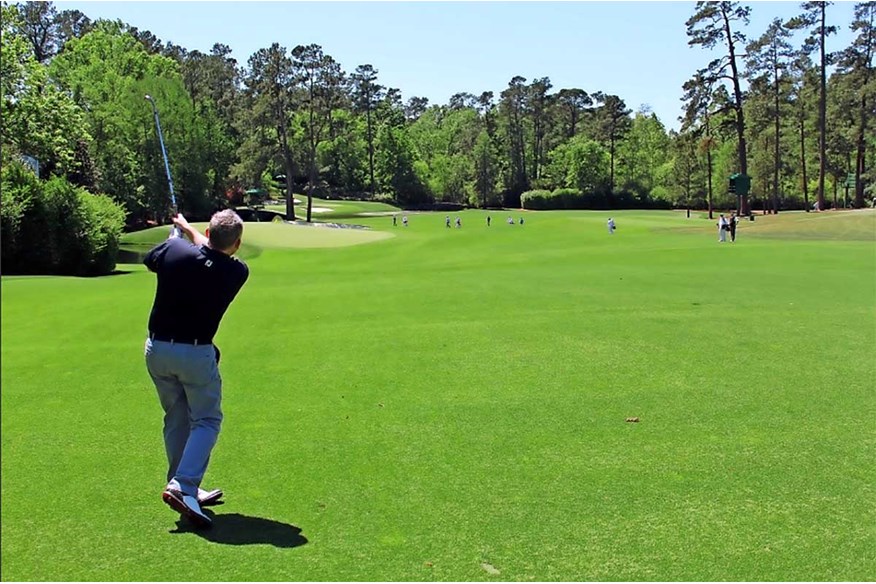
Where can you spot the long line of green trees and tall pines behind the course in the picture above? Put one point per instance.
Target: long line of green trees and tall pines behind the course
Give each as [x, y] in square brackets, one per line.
[292, 120]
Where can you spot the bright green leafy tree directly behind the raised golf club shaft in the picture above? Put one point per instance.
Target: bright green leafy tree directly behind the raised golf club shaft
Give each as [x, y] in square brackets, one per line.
[107, 72]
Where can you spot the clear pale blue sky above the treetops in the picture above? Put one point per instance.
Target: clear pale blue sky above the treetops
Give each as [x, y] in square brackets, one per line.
[636, 50]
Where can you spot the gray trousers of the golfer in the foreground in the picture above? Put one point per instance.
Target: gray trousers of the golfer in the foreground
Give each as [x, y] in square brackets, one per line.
[190, 391]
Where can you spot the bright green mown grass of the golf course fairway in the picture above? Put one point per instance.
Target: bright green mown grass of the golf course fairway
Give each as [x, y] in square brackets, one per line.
[425, 403]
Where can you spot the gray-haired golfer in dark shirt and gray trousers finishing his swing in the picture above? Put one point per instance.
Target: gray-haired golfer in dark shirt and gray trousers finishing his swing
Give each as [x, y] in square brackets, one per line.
[196, 283]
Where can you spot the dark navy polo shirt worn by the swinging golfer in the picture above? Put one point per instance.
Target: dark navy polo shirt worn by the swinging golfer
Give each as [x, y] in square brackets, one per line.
[195, 286]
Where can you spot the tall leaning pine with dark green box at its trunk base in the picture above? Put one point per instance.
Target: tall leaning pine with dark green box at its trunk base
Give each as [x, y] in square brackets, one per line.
[710, 25]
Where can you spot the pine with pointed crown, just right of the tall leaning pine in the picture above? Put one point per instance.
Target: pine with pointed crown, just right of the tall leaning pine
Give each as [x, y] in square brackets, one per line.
[767, 58]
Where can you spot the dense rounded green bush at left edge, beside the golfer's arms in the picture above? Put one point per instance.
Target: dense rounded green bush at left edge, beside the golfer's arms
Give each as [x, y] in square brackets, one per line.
[53, 227]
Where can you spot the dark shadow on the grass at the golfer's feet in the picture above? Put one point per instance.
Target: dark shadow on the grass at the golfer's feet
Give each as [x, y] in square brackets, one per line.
[237, 529]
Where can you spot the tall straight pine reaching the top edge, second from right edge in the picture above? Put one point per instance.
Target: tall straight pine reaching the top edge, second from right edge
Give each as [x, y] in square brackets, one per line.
[814, 15]
